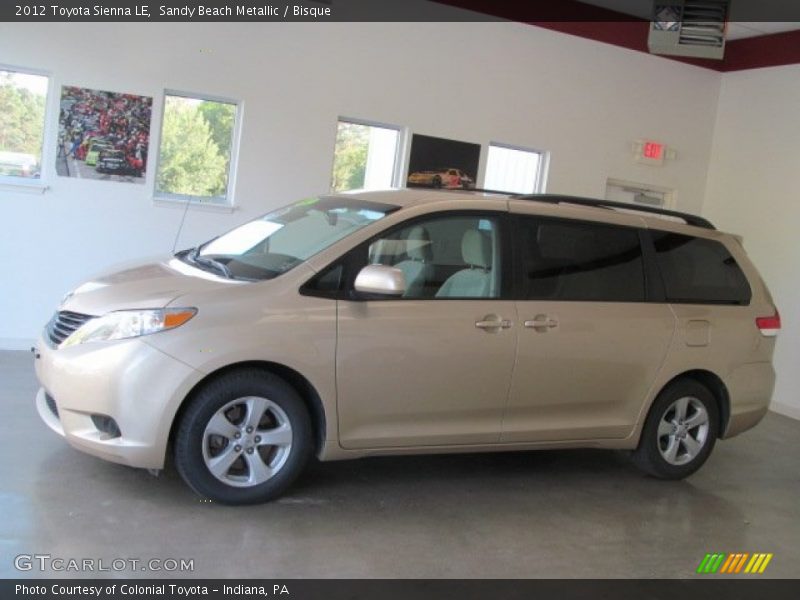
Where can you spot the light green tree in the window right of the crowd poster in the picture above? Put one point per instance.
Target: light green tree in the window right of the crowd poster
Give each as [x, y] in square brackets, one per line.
[190, 162]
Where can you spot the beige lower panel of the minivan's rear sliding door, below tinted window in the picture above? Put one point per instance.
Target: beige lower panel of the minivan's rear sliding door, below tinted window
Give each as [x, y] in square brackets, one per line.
[587, 375]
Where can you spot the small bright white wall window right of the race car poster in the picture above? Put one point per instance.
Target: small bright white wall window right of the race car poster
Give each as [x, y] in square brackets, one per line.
[515, 170]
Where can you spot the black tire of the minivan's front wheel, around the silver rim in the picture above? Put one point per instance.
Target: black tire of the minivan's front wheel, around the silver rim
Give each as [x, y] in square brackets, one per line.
[191, 443]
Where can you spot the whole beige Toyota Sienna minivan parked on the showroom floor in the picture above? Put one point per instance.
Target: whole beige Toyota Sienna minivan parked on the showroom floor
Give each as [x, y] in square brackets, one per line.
[414, 322]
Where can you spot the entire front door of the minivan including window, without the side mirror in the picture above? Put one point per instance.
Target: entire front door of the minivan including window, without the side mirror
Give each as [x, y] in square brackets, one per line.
[431, 368]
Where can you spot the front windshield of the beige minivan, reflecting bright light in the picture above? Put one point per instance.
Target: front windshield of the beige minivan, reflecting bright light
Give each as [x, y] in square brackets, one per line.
[280, 240]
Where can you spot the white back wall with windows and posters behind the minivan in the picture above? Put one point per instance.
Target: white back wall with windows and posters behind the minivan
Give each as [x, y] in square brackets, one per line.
[581, 100]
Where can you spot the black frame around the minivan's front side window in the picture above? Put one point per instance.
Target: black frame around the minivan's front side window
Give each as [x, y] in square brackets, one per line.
[357, 258]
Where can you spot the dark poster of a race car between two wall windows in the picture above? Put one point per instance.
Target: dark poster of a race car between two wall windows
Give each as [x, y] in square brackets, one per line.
[442, 163]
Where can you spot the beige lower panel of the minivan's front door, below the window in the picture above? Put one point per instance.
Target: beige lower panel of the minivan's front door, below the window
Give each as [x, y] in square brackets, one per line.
[421, 373]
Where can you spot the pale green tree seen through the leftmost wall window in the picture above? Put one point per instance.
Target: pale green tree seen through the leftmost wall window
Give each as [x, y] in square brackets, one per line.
[21, 118]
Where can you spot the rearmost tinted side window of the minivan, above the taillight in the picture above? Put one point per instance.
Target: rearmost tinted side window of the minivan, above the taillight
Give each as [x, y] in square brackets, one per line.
[699, 271]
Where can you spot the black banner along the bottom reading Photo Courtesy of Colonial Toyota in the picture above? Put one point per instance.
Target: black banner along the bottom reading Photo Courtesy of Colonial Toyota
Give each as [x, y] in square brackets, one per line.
[410, 589]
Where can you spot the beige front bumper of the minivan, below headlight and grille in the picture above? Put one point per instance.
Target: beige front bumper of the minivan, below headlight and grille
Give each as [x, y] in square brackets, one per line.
[138, 386]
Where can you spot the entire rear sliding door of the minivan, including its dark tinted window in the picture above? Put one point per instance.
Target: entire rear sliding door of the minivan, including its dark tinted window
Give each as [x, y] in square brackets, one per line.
[591, 345]
